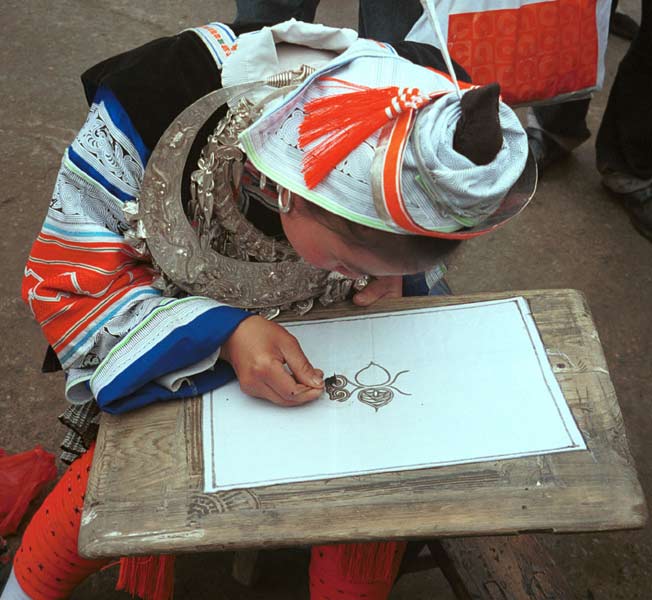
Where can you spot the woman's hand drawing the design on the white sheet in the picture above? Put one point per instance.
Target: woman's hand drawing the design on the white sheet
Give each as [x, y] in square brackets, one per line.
[258, 351]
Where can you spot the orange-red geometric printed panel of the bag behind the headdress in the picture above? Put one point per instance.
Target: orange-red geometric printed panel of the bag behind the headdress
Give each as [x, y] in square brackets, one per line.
[536, 51]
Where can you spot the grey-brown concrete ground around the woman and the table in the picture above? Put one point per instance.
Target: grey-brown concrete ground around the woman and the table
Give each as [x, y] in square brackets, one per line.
[572, 235]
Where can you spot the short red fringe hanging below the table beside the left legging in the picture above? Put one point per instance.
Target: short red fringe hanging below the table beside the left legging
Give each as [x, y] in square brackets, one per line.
[148, 577]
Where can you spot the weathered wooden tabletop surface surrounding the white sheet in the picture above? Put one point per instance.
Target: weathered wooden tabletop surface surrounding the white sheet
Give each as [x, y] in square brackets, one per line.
[145, 491]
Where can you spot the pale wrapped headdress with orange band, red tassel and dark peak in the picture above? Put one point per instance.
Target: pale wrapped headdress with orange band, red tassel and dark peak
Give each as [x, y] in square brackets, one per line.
[388, 144]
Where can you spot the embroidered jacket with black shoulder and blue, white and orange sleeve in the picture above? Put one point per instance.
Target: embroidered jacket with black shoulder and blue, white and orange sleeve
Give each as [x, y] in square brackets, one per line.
[119, 340]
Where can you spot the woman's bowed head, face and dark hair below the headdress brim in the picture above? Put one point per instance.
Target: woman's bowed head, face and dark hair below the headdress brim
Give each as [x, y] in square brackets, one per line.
[331, 242]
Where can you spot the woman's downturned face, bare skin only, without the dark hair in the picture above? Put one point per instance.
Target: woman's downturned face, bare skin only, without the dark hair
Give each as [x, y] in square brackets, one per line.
[322, 247]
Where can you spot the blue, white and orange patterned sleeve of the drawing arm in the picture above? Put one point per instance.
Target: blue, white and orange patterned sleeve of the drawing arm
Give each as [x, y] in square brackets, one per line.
[118, 339]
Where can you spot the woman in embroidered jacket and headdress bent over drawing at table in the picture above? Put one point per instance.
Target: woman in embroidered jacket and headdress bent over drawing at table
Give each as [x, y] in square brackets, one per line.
[361, 164]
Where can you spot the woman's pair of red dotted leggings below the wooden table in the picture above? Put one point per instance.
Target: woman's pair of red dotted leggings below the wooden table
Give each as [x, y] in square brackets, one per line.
[48, 567]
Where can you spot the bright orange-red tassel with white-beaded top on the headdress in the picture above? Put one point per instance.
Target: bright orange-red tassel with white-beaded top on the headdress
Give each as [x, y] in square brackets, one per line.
[346, 120]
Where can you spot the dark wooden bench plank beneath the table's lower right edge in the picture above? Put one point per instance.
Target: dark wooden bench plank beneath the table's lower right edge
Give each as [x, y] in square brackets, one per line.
[500, 568]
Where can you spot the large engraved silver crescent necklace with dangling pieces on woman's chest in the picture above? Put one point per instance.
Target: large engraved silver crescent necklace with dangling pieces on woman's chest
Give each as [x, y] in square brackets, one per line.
[221, 255]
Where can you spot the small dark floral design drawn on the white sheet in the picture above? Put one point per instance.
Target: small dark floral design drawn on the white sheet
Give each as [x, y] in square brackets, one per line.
[374, 385]
